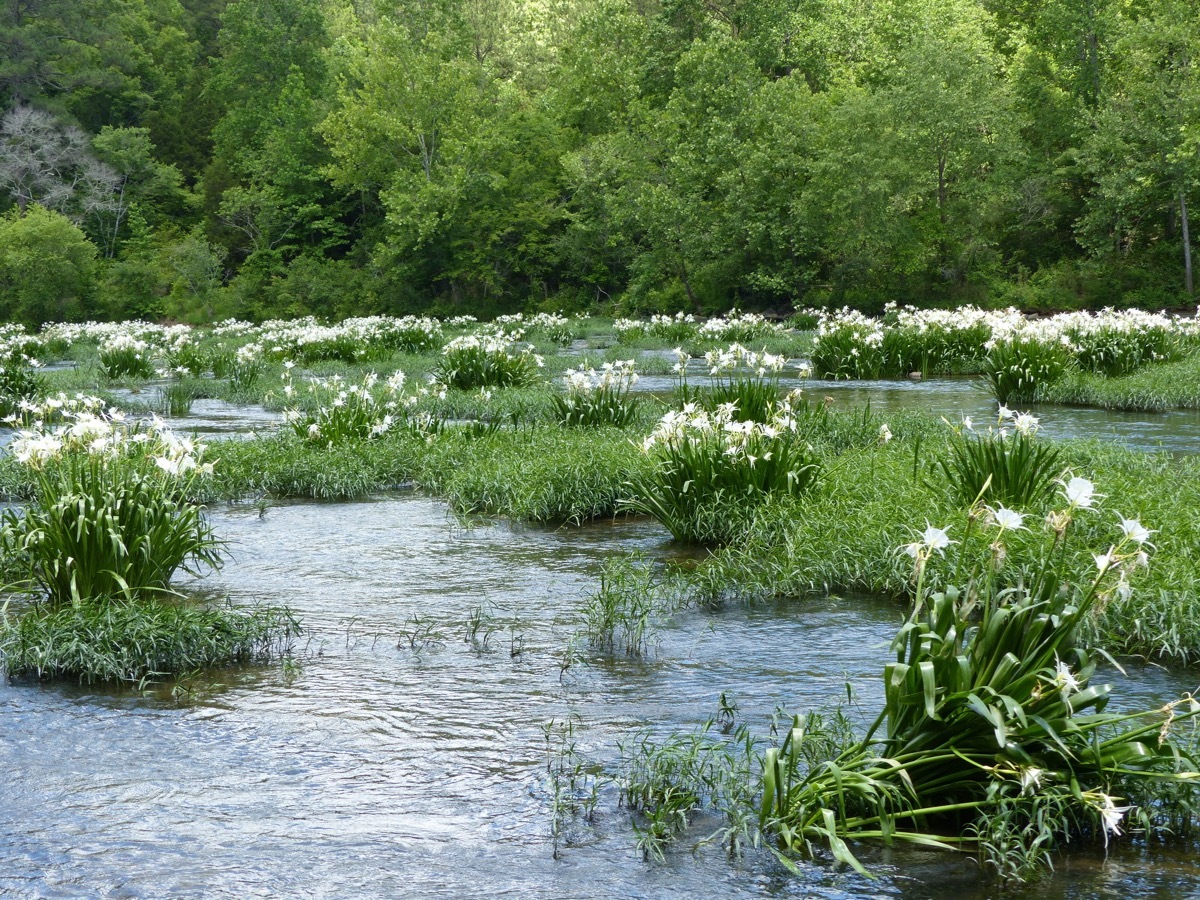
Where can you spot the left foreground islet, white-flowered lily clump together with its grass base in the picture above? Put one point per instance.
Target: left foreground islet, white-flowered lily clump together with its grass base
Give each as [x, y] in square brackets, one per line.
[111, 520]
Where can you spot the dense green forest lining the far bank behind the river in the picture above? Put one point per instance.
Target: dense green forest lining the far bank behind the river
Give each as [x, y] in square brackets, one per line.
[197, 160]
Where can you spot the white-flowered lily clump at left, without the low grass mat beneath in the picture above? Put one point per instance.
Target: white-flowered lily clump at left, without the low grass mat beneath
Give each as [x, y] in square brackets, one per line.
[111, 513]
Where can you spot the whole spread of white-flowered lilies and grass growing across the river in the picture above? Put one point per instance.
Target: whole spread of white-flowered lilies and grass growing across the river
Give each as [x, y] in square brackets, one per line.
[1021, 561]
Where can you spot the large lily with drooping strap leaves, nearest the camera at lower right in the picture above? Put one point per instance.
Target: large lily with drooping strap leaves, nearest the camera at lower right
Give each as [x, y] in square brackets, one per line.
[992, 734]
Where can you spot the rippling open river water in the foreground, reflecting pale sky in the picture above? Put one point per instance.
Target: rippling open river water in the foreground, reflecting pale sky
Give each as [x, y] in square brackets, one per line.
[401, 760]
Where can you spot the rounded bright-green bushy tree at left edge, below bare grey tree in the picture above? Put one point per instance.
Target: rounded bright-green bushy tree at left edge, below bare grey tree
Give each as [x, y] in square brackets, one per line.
[47, 268]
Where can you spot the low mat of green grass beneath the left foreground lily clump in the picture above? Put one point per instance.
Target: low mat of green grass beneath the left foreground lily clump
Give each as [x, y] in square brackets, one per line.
[136, 641]
